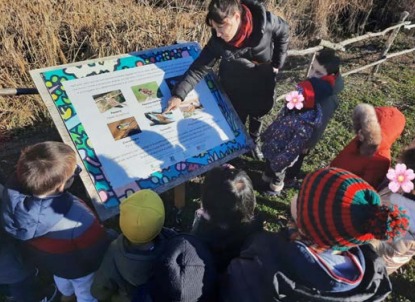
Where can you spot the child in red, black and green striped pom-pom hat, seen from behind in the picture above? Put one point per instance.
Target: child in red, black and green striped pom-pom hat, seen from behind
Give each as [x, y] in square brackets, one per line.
[335, 213]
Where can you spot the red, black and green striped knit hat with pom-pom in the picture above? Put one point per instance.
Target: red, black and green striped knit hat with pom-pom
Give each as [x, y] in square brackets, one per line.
[337, 209]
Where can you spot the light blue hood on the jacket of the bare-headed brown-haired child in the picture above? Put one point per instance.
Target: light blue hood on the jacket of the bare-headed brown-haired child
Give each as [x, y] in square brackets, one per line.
[26, 217]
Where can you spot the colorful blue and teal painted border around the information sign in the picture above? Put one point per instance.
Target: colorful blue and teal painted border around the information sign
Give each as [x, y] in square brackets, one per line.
[159, 181]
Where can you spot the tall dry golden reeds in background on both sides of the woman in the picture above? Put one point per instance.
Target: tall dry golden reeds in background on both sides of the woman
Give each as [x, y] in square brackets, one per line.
[36, 34]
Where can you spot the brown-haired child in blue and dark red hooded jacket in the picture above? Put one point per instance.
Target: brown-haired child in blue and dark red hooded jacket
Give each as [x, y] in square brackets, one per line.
[59, 232]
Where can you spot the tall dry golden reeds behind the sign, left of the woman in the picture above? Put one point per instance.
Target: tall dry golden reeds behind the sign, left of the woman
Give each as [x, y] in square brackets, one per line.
[36, 34]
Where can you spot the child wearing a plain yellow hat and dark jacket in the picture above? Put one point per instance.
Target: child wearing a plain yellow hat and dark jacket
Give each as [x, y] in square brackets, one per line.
[128, 262]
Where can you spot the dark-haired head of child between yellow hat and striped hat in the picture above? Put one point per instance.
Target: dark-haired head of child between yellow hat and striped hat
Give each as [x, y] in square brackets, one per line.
[228, 196]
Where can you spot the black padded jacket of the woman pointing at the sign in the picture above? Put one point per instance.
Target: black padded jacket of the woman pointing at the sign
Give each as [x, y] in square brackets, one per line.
[245, 73]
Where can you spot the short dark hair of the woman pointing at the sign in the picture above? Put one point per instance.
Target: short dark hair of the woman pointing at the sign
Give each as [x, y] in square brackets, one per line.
[218, 10]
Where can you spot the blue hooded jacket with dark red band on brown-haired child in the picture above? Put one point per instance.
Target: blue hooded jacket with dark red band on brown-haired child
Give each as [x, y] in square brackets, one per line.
[60, 233]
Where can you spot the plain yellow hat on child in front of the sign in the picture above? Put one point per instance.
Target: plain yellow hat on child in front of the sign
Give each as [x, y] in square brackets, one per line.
[142, 216]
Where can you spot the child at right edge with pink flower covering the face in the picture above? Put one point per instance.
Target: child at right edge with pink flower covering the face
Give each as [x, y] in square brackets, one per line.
[400, 192]
